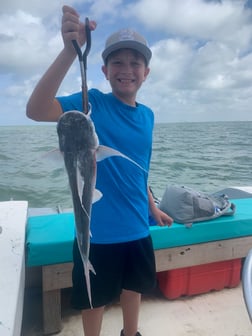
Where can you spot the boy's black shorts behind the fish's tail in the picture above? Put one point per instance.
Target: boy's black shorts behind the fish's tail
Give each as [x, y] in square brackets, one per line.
[129, 265]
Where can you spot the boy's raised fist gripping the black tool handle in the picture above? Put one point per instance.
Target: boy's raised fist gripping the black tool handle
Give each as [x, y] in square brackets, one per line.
[73, 29]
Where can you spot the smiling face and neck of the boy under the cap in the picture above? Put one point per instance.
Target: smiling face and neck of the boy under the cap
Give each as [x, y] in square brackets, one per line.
[126, 70]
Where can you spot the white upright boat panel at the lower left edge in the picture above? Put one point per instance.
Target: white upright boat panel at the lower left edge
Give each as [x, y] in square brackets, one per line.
[13, 216]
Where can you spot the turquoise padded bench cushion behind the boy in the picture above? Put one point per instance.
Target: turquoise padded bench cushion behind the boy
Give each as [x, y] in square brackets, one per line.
[49, 238]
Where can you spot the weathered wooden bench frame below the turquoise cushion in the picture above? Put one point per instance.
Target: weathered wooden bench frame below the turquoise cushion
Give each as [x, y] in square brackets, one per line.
[58, 276]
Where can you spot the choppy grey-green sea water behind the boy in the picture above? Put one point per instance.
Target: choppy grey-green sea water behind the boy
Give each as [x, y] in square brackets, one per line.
[204, 156]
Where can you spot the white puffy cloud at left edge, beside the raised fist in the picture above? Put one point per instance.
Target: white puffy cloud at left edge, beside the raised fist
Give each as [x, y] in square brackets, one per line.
[26, 44]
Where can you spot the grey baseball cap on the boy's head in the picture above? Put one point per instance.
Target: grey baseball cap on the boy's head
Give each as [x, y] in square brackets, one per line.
[129, 39]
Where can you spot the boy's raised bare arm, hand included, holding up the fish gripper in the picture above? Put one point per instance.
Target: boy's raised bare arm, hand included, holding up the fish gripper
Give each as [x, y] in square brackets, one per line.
[42, 105]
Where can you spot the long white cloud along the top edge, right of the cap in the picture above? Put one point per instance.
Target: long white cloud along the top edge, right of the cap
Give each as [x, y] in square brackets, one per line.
[201, 19]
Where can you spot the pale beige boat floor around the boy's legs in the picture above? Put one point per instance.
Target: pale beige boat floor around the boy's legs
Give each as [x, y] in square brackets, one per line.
[219, 313]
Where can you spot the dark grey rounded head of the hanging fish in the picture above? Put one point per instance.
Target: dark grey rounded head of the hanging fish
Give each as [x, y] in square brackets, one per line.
[76, 132]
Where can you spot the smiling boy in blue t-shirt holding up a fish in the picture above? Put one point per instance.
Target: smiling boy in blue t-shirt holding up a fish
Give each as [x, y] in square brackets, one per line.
[121, 250]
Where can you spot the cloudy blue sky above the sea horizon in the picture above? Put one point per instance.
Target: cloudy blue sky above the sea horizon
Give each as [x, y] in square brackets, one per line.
[201, 68]
